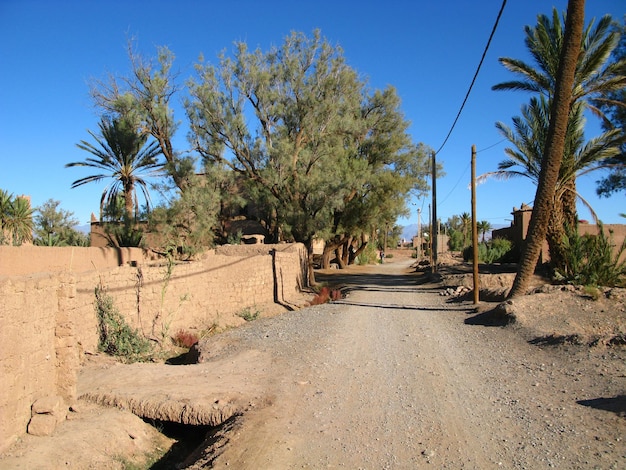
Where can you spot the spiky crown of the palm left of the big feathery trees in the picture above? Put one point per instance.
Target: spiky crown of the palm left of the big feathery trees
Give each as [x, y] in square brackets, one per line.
[122, 155]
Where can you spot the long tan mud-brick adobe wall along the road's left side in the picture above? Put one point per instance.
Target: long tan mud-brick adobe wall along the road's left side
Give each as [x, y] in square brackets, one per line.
[48, 321]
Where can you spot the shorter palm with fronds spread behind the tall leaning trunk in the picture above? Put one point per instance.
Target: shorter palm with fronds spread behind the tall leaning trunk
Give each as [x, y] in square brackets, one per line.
[579, 158]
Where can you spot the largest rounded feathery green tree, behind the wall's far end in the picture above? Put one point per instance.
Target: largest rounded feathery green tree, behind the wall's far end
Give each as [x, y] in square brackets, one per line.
[298, 124]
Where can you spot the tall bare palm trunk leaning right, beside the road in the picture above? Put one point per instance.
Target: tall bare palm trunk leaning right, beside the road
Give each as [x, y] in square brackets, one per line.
[551, 162]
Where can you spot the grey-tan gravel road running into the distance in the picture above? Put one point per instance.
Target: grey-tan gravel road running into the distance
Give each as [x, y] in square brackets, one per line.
[392, 377]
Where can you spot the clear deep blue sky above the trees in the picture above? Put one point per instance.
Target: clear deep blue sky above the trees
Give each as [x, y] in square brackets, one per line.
[429, 51]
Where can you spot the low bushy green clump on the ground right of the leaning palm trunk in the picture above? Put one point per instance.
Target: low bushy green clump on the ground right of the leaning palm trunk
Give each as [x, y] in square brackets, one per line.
[590, 260]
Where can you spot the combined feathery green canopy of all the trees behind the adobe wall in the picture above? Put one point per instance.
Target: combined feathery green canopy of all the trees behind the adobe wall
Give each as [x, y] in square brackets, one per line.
[292, 131]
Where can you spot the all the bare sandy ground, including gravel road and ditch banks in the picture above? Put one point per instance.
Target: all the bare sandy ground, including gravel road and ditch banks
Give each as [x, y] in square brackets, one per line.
[402, 373]
